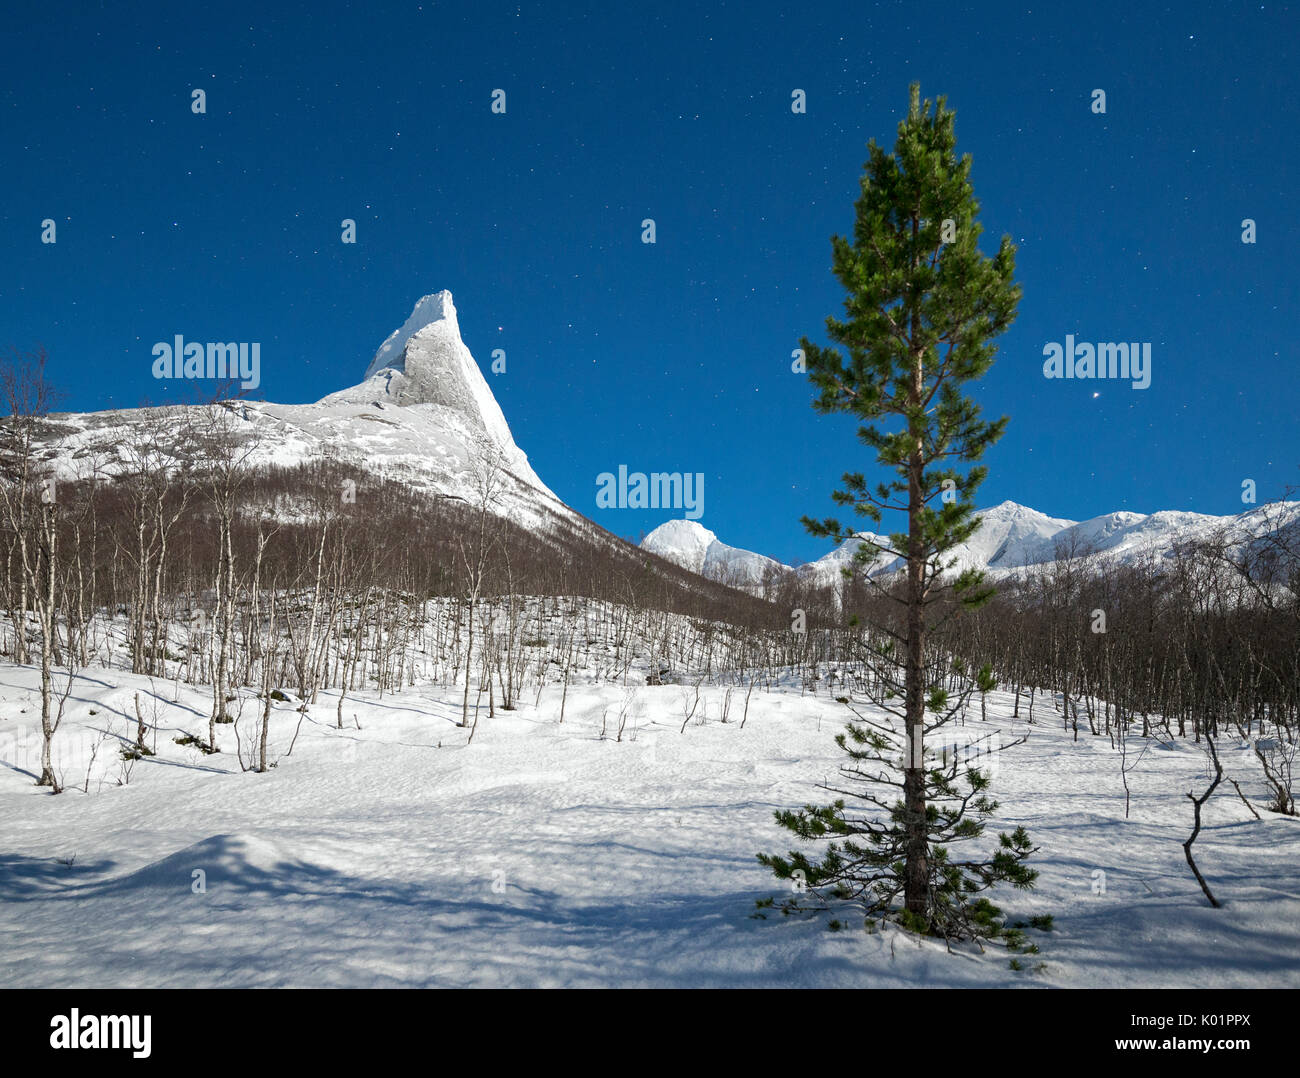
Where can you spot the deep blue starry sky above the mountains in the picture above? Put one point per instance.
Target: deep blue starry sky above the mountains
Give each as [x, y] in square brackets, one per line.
[677, 356]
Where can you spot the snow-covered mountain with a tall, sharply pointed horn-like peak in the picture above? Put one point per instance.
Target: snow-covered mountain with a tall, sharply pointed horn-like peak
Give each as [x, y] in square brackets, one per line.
[422, 425]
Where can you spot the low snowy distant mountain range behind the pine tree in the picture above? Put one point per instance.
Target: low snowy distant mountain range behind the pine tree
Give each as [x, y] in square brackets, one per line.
[1011, 538]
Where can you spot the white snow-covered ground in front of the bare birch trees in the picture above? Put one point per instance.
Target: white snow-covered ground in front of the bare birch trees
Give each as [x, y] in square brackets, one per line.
[541, 855]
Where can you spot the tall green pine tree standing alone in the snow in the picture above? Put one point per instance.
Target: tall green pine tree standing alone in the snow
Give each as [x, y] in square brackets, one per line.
[924, 309]
